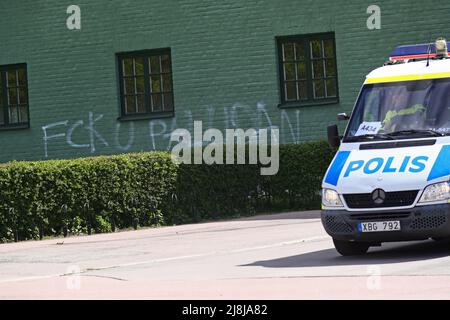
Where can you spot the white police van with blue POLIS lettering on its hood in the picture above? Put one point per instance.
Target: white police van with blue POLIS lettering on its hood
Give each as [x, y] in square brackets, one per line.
[389, 180]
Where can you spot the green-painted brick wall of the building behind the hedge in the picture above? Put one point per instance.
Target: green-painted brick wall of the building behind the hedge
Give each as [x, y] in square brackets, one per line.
[224, 64]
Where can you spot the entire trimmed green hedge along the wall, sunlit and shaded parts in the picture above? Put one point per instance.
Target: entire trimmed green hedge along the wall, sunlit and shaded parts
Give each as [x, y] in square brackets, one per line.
[101, 194]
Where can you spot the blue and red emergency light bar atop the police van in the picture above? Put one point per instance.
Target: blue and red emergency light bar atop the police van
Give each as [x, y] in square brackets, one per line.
[421, 51]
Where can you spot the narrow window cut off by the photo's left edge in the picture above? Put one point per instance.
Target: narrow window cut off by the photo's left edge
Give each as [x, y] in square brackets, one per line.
[13, 96]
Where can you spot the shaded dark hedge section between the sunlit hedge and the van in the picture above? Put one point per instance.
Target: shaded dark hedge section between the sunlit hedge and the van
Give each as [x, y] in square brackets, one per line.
[208, 192]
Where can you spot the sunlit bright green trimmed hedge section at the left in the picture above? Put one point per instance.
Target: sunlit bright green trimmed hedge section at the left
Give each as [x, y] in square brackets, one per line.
[84, 195]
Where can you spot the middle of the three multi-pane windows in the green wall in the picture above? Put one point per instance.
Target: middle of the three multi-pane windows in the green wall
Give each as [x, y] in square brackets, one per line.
[146, 84]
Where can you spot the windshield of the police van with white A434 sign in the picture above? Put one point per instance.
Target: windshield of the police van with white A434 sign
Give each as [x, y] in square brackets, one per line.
[401, 110]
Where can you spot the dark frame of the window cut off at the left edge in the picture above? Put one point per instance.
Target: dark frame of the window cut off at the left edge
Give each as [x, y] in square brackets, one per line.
[4, 96]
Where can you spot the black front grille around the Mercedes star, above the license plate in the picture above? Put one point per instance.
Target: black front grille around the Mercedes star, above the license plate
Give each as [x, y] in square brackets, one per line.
[393, 199]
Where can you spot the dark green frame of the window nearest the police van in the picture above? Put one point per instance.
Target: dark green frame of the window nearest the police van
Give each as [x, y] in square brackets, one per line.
[305, 41]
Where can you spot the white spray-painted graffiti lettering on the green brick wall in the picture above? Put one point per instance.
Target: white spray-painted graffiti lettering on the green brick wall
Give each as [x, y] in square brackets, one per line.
[161, 130]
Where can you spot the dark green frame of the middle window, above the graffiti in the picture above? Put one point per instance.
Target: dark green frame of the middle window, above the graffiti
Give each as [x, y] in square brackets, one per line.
[148, 114]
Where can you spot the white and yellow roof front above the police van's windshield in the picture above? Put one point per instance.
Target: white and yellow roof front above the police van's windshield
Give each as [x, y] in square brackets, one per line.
[410, 71]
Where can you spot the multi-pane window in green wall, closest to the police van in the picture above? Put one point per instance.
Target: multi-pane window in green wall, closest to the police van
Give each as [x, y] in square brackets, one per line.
[308, 72]
